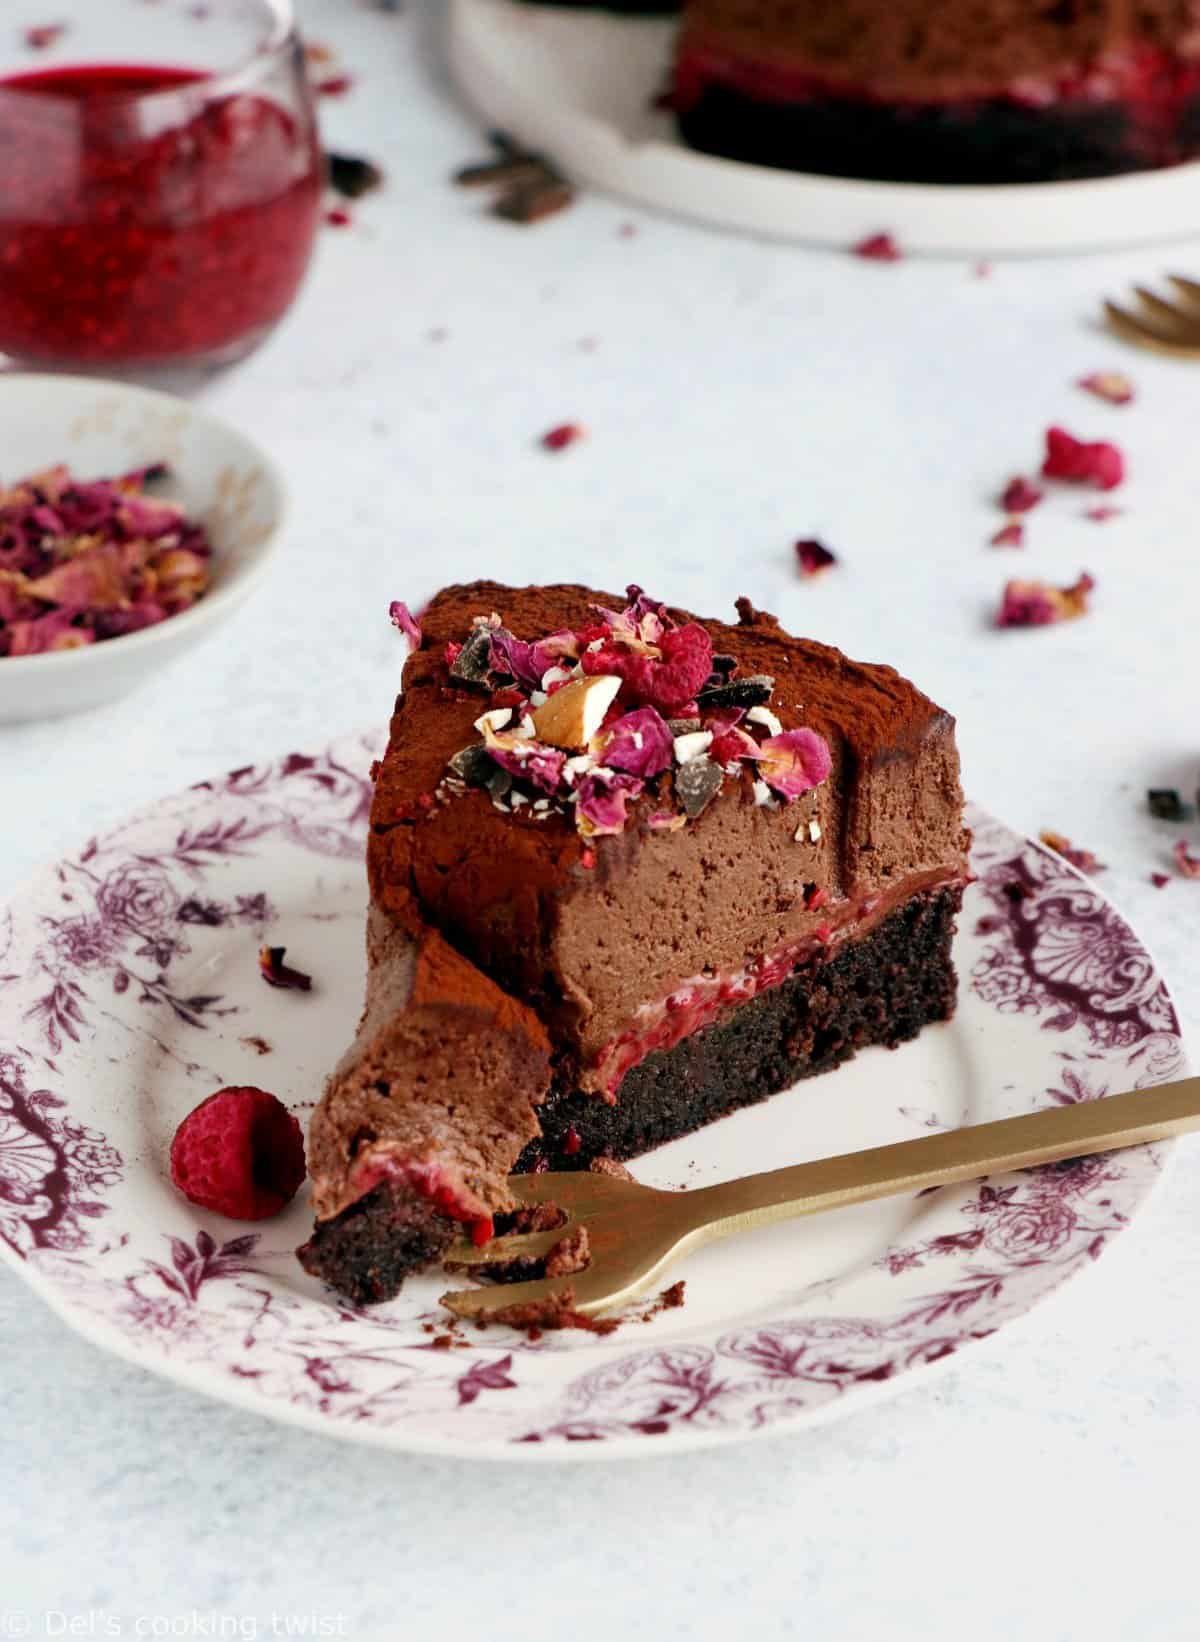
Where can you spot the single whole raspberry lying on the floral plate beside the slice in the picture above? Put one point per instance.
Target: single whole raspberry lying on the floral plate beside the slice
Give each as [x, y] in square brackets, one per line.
[242, 1154]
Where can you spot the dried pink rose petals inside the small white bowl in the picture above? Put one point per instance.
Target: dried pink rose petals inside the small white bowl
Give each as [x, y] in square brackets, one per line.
[91, 561]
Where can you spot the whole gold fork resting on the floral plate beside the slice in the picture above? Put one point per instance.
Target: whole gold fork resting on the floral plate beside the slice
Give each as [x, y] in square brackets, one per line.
[636, 1232]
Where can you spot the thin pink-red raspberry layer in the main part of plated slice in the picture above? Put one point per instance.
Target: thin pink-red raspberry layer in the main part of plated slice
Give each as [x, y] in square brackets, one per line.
[700, 1001]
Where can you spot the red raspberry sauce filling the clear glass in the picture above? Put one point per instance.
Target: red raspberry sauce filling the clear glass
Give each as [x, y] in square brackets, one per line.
[153, 216]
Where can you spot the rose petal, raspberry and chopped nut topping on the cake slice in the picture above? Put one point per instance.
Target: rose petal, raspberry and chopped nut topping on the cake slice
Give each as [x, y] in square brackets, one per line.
[587, 722]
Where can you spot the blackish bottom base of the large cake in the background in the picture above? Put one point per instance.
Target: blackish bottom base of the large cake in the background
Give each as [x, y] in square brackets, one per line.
[979, 142]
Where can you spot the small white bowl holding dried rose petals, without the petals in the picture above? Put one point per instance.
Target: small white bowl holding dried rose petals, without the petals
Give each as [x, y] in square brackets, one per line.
[222, 479]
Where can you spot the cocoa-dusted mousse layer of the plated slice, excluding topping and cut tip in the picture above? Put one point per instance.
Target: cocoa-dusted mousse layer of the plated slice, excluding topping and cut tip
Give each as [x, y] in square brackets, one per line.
[593, 935]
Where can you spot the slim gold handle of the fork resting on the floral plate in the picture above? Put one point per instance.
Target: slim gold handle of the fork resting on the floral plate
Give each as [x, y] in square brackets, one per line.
[948, 1160]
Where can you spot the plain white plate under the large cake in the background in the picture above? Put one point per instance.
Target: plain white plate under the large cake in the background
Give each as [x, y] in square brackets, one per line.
[584, 86]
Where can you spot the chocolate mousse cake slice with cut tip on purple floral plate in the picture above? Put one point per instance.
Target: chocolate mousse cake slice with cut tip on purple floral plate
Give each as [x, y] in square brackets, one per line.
[674, 866]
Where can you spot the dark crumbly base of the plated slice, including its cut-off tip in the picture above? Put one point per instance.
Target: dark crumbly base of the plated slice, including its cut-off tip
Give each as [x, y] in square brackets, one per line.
[879, 991]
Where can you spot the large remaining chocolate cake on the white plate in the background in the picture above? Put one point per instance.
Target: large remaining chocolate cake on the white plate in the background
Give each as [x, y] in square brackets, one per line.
[999, 91]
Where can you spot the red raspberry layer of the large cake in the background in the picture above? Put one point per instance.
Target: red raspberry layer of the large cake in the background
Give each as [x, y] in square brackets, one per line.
[1152, 85]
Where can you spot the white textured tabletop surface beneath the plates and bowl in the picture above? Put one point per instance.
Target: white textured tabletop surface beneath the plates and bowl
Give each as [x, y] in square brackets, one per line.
[740, 395]
